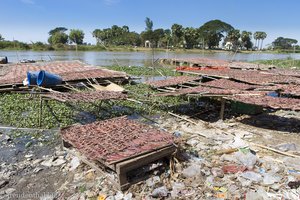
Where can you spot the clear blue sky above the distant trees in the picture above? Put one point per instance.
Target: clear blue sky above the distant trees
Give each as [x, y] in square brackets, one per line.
[30, 20]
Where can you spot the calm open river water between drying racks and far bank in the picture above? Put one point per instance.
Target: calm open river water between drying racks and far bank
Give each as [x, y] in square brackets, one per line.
[105, 58]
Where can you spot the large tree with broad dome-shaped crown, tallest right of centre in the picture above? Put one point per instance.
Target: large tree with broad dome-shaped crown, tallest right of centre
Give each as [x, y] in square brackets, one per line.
[213, 31]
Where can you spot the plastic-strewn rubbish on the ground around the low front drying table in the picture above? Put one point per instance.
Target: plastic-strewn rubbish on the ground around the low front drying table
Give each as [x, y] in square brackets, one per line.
[221, 160]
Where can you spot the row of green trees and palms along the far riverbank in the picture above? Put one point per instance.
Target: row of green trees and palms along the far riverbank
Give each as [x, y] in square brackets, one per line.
[208, 36]
